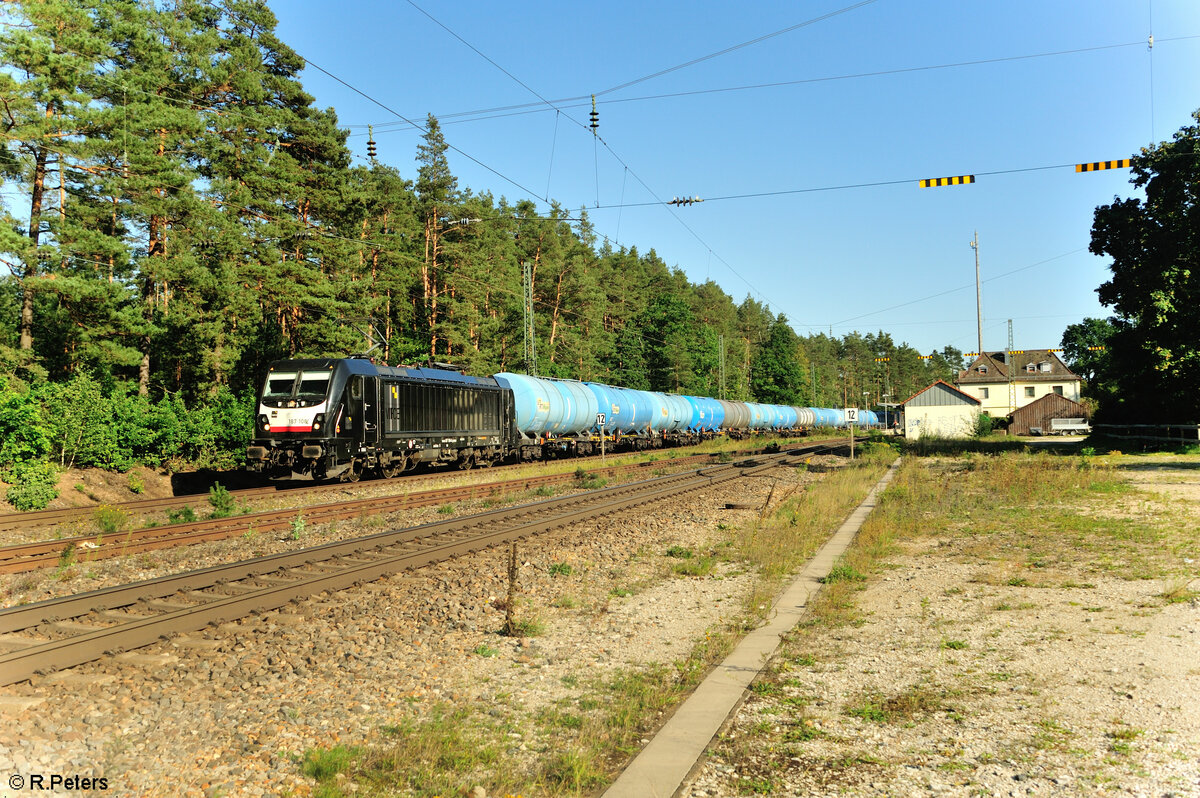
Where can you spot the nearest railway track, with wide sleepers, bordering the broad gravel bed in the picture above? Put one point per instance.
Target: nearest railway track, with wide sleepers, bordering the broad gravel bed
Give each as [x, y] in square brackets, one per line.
[70, 631]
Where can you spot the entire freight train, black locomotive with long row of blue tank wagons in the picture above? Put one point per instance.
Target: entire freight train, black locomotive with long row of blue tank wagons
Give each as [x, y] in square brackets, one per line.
[345, 418]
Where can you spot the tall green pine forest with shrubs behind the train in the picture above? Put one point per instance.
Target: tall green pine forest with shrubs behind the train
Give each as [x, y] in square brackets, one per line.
[242, 237]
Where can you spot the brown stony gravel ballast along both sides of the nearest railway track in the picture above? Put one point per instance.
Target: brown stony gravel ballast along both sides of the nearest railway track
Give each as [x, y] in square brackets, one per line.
[231, 711]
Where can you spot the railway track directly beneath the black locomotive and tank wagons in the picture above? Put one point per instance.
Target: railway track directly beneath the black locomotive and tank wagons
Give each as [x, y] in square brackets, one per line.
[136, 508]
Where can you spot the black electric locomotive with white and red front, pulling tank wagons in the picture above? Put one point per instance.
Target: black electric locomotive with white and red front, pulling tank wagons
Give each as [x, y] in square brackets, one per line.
[333, 418]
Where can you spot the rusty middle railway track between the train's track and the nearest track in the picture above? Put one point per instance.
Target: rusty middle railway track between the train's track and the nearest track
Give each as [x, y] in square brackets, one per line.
[86, 549]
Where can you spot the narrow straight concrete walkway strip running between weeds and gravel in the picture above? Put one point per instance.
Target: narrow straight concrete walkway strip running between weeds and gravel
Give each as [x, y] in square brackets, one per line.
[661, 769]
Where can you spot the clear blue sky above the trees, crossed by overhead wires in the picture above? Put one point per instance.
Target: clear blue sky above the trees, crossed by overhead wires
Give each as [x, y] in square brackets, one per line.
[787, 218]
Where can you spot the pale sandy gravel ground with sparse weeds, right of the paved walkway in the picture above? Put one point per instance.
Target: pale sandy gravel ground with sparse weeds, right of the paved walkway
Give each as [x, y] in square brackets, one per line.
[967, 680]
